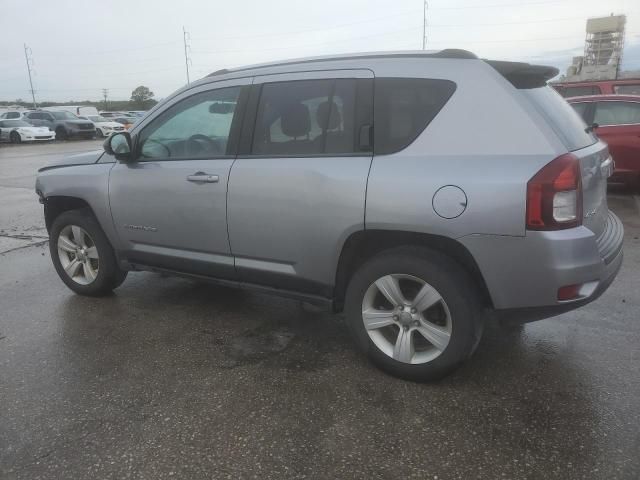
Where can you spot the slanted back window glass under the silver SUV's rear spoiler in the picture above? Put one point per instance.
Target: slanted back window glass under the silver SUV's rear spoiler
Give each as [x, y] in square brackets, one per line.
[563, 119]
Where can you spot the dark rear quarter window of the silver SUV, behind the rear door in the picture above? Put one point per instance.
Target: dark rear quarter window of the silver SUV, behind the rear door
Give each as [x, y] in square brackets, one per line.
[404, 107]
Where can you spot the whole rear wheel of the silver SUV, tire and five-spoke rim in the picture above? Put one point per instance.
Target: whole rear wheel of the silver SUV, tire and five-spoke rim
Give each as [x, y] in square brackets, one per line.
[414, 312]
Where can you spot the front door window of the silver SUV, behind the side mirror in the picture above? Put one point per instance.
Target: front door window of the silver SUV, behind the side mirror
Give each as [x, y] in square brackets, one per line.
[196, 127]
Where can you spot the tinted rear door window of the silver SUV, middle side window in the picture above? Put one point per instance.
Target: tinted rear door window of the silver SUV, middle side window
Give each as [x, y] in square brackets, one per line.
[306, 117]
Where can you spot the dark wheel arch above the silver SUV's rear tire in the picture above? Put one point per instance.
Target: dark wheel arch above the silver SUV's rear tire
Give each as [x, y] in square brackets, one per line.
[364, 244]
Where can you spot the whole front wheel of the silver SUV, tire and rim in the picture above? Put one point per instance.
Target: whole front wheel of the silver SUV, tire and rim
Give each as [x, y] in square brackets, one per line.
[82, 254]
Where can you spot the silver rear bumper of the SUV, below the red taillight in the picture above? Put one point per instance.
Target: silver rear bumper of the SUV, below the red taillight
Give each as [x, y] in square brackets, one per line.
[523, 274]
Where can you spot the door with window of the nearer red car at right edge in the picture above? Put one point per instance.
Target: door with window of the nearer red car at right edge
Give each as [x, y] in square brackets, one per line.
[619, 125]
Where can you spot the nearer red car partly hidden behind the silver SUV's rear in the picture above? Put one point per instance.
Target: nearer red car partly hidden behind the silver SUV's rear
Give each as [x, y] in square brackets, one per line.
[618, 120]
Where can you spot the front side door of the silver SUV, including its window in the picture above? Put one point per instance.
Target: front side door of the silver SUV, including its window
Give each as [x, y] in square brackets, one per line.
[169, 205]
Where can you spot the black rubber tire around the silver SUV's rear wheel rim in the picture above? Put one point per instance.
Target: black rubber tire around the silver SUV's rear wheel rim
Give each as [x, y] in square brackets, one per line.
[456, 288]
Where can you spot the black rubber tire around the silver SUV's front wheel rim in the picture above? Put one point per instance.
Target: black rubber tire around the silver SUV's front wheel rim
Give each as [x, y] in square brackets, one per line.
[109, 276]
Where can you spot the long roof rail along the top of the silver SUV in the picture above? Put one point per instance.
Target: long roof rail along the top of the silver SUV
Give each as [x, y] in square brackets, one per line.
[446, 53]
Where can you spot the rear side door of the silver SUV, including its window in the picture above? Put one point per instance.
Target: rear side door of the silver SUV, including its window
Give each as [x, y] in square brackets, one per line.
[297, 189]
